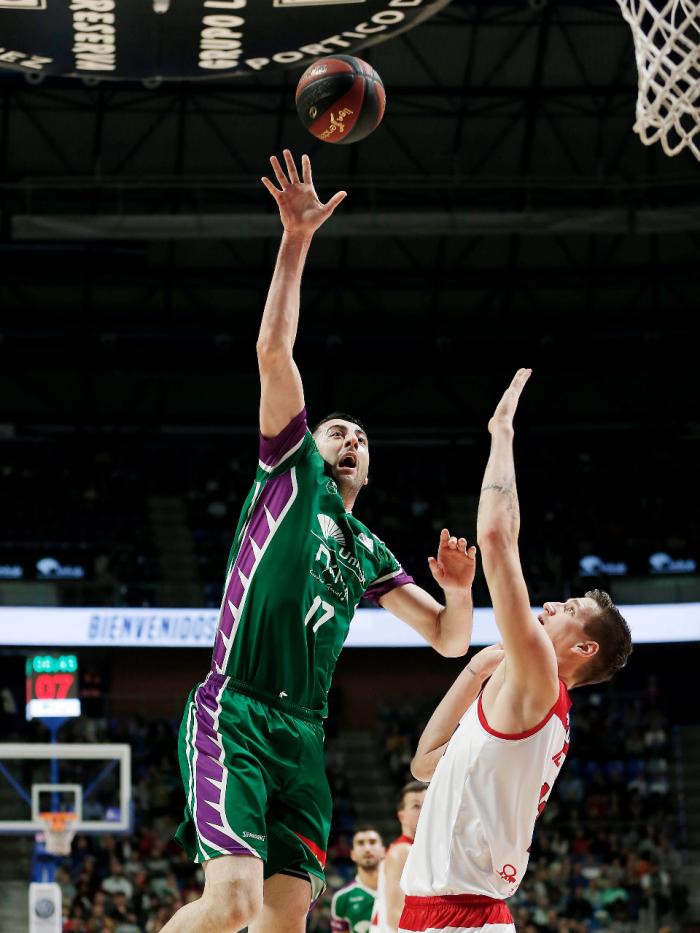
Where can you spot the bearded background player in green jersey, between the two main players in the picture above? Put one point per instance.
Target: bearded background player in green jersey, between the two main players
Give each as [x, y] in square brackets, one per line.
[352, 905]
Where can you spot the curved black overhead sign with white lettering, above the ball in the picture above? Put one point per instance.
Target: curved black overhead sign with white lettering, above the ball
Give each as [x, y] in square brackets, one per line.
[149, 39]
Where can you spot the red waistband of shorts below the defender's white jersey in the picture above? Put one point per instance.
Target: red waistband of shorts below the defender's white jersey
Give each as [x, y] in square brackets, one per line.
[452, 910]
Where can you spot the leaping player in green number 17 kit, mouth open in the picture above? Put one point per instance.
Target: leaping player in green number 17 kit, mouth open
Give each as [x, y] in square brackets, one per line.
[258, 805]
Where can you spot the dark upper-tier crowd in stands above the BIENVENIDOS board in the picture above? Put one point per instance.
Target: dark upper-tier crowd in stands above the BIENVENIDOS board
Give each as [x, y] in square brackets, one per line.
[85, 502]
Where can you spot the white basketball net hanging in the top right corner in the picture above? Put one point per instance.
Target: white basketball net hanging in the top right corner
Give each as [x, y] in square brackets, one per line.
[667, 48]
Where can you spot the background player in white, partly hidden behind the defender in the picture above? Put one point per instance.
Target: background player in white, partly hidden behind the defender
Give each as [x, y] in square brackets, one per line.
[390, 897]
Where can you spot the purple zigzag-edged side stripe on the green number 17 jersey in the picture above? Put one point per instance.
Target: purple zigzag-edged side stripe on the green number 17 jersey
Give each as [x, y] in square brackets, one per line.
[274, 499]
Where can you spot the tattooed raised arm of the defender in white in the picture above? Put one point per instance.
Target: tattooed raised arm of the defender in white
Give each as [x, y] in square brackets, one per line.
[530, 661]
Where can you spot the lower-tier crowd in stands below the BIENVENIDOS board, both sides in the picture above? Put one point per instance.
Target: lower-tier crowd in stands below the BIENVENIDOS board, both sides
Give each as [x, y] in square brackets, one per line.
[606, 855]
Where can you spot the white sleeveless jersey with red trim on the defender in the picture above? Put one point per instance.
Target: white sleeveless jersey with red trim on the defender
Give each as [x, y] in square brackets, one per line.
[478, 816]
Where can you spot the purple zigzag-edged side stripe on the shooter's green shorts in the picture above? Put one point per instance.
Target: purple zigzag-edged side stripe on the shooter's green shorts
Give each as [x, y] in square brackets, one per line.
[209, 796]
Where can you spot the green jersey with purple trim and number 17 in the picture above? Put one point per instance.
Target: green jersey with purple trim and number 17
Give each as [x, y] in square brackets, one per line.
[298, 567]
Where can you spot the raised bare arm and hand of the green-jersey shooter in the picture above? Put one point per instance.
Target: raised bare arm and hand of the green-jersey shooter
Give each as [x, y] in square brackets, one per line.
[301, 213]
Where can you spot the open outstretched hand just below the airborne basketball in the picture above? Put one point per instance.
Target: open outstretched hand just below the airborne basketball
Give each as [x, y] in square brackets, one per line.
[301, 212]
